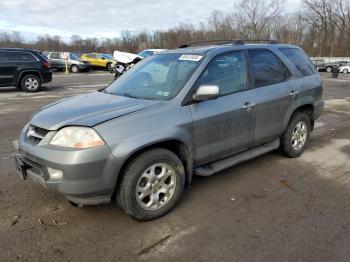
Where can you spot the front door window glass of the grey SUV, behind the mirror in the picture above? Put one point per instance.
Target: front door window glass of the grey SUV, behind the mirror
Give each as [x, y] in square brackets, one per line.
[227, 71]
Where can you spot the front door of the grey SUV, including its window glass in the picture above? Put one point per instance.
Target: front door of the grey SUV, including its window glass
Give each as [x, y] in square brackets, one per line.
[224, 126]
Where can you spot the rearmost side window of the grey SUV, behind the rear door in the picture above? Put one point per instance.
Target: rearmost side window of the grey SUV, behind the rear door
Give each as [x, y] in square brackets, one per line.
[300, 60]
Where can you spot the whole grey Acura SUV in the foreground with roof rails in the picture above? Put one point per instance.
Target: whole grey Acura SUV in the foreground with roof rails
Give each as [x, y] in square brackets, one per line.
[179, 113]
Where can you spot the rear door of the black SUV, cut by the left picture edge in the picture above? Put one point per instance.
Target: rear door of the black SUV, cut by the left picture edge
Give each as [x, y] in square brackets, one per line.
[8, 67]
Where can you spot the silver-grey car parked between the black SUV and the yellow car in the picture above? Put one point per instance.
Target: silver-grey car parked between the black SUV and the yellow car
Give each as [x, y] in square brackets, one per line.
[75, 64]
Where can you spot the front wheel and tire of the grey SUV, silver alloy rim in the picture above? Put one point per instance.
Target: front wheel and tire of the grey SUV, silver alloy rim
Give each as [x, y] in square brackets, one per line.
[142, 182]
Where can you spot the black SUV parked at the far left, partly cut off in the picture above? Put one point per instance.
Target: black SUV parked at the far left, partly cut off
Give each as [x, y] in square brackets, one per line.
[24, 68]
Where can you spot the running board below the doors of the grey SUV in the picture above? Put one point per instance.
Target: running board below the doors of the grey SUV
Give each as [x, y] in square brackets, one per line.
[212, 168]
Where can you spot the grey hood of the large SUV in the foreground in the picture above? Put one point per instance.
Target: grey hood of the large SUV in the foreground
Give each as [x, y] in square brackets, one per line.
[88, 110]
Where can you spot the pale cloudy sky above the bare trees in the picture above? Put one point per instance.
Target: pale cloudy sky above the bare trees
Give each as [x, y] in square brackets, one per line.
[105, 18]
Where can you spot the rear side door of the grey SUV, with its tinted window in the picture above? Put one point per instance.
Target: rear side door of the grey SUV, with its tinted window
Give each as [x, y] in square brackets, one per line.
[276, 94]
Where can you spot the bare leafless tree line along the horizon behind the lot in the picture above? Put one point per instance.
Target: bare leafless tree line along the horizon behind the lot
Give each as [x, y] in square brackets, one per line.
[320, 27]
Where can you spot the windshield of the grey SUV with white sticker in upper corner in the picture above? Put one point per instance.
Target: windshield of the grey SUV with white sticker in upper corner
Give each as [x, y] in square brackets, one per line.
[159, 77]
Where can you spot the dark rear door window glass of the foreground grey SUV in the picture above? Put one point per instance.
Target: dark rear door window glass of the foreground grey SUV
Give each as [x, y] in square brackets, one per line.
[267, 68]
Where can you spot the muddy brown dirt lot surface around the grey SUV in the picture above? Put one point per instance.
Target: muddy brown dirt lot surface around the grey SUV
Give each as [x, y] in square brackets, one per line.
[268, 209]
